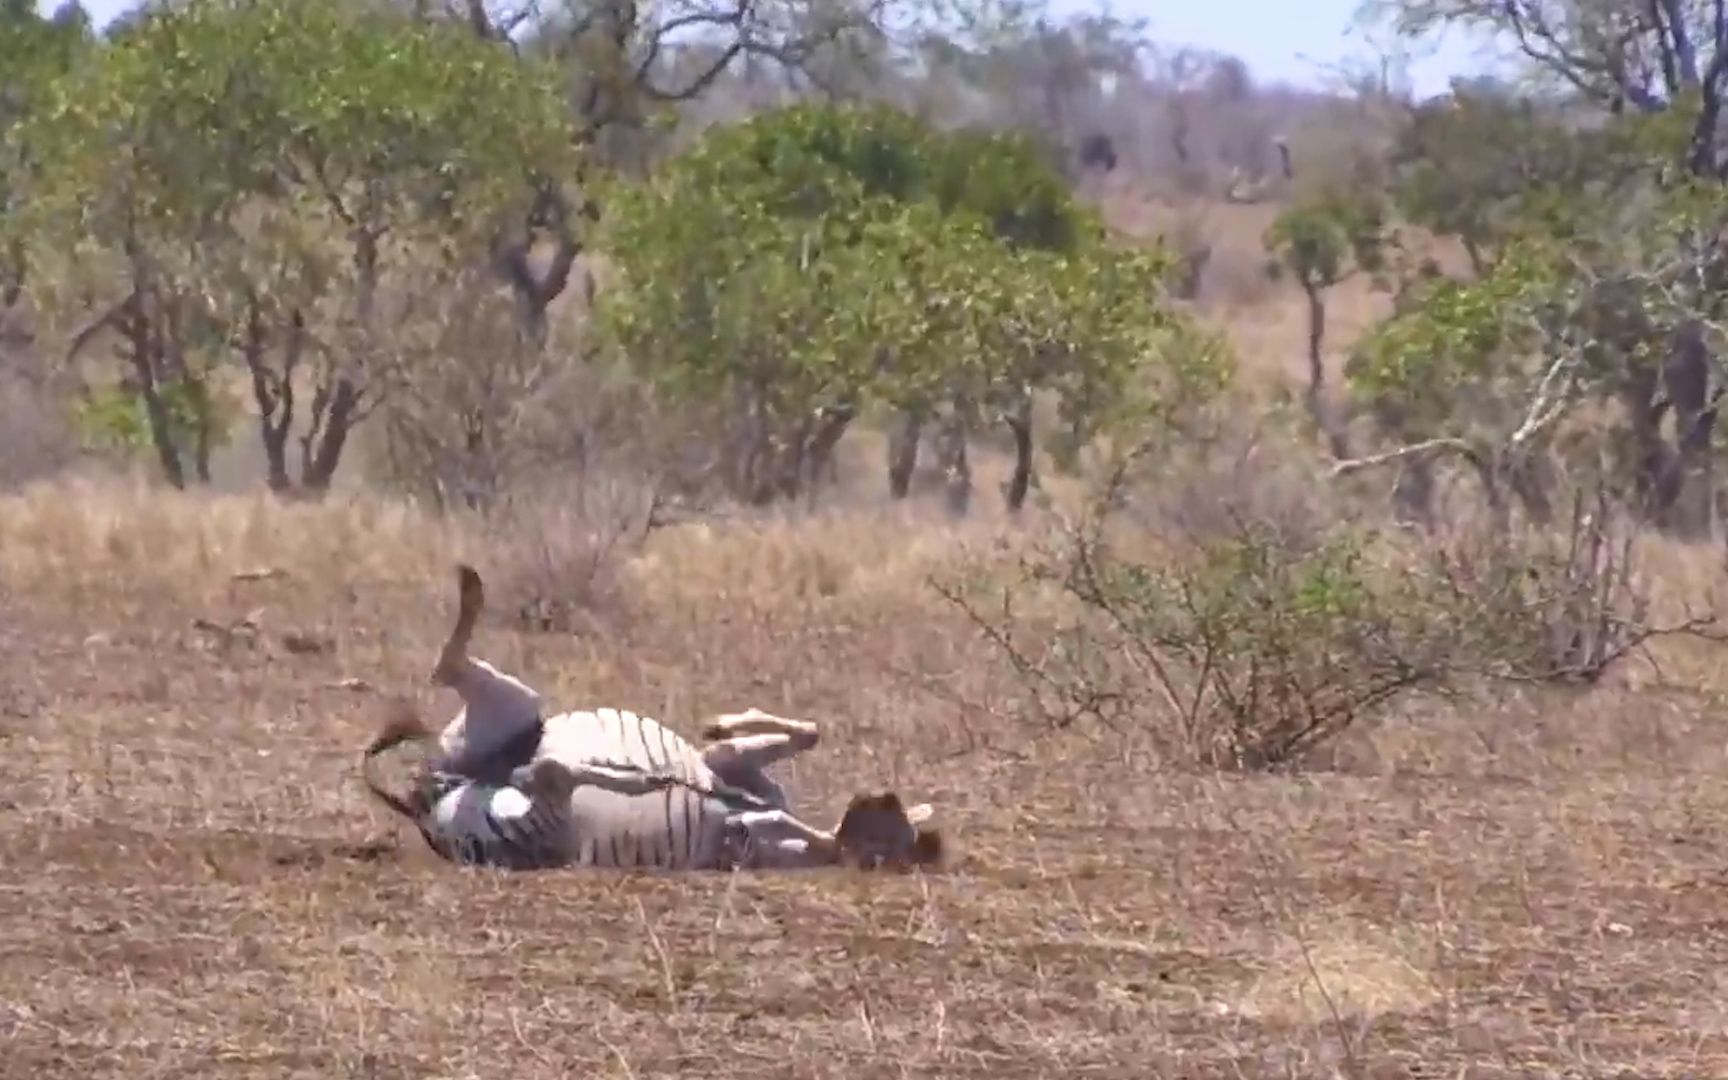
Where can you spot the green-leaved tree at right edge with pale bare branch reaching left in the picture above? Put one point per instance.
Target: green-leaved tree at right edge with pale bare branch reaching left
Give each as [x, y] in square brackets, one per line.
[1598, 302]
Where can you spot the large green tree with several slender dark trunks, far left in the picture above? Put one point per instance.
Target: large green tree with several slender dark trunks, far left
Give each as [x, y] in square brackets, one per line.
[264, 172]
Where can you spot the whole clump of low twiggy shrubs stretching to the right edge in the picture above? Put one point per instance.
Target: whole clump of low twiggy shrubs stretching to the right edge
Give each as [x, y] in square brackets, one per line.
[1255, 633]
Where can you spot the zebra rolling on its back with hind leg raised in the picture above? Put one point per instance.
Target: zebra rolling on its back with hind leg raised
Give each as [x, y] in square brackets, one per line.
[514, 789]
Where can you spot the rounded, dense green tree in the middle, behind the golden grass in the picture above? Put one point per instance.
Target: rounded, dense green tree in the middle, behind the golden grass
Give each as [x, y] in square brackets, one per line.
[816, 262]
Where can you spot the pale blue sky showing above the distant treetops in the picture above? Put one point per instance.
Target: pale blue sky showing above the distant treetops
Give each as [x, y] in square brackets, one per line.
[1281, 41]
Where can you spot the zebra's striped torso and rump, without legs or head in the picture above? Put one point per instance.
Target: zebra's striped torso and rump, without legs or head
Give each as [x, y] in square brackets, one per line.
[685, 827]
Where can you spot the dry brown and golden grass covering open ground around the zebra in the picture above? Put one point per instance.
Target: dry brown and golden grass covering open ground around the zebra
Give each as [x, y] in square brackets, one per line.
[194, 884]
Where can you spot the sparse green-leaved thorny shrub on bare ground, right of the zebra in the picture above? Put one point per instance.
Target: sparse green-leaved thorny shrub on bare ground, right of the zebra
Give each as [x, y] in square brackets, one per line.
[1252, 651]
